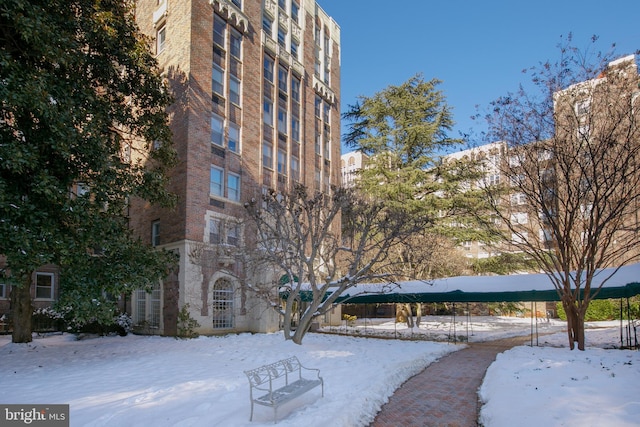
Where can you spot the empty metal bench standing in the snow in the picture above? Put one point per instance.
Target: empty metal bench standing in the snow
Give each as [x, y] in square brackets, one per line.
[279, 382]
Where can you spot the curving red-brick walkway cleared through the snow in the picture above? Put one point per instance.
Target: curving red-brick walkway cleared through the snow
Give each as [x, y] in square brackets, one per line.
[446, 392]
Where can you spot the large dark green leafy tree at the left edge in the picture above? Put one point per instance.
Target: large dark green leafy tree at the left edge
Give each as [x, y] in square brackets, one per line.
[82, 106]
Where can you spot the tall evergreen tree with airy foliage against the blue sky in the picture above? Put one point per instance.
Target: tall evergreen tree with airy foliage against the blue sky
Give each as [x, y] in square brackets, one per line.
[404, 132]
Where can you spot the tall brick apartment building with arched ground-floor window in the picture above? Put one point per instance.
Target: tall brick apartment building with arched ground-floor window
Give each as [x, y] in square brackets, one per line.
[256, 86]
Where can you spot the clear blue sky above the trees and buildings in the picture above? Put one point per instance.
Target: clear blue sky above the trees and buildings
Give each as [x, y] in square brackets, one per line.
[477, 48]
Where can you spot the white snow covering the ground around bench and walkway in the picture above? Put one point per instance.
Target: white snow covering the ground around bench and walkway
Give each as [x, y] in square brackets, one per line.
[136, 380]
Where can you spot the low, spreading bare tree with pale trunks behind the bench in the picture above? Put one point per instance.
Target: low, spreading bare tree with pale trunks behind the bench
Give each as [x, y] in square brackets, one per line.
[299, 233]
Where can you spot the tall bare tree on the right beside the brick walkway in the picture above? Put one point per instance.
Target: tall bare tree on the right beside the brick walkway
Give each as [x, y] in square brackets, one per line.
[572, 190]
